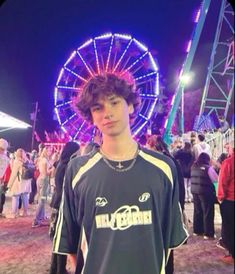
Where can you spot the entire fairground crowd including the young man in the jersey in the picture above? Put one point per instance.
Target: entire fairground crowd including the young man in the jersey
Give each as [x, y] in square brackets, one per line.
[94, 189]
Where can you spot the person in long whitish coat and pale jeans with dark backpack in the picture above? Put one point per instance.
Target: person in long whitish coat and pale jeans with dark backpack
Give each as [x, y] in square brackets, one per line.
[19, 184]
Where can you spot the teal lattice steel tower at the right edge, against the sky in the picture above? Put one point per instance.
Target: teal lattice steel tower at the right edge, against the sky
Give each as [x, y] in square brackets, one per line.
[219, 87]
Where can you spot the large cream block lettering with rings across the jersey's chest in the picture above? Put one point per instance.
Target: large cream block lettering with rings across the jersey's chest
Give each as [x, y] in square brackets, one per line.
[123, 218]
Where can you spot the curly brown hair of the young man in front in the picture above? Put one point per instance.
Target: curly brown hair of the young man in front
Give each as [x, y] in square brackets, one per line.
[103, 85]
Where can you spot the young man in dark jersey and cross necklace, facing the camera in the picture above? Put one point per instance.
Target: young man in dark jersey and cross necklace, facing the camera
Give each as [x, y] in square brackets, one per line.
[120, 204]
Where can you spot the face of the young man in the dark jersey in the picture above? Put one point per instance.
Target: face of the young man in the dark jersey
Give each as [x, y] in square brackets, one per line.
[111, 115]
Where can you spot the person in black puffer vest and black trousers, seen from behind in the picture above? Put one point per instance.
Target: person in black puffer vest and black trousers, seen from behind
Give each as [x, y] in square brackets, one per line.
[203, 176]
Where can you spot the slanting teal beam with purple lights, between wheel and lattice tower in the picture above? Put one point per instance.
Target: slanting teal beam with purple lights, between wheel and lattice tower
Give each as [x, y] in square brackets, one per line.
[186, 68]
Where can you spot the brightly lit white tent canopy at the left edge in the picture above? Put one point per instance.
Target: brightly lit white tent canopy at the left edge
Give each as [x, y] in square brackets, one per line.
[8, 122]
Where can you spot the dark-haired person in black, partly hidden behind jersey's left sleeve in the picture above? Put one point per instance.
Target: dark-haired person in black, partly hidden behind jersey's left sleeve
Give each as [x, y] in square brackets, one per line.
[58, 261]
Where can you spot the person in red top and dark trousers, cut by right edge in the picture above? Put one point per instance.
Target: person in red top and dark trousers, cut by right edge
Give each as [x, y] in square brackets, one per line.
[226, 199]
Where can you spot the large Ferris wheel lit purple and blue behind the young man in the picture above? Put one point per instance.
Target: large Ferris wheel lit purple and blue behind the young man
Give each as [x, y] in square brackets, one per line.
[115, 53]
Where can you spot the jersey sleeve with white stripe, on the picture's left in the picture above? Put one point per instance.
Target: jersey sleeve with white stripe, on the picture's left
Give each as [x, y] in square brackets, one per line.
[67, 233]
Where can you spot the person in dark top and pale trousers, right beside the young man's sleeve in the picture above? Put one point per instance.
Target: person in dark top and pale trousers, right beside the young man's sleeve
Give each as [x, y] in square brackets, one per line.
[185, 158]
